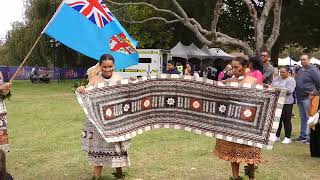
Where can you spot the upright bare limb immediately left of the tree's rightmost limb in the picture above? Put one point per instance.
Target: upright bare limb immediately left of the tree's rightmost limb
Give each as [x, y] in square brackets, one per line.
[261, 24]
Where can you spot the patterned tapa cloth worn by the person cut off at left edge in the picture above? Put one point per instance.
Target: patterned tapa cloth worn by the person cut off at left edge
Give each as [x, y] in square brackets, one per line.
[4, 142]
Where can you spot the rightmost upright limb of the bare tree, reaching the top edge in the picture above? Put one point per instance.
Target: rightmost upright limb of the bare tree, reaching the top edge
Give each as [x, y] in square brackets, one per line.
[276, 25]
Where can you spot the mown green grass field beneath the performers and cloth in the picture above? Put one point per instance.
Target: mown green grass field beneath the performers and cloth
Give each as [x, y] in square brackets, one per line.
[45, 124]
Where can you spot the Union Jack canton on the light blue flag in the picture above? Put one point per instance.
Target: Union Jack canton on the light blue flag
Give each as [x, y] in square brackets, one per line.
[94, 10]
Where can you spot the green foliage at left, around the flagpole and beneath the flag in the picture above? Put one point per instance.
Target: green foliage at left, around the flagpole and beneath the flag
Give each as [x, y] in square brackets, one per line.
[23, 35]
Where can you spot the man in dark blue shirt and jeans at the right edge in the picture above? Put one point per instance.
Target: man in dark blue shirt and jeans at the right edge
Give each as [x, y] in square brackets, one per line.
[308, 81]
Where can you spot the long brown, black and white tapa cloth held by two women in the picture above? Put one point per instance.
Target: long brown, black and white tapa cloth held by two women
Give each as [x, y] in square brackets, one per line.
[240, 113]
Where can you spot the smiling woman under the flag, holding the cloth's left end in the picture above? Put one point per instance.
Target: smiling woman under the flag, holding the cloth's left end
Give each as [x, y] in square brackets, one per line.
[100, 152]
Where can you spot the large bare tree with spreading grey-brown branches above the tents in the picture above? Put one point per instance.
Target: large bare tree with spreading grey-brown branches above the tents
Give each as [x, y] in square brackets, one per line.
[213, 37]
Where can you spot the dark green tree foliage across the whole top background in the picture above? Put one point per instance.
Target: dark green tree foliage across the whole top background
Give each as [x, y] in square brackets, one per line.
[299, 27]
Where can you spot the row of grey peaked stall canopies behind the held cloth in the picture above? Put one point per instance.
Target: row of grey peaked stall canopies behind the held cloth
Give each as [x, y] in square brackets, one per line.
[192, 51]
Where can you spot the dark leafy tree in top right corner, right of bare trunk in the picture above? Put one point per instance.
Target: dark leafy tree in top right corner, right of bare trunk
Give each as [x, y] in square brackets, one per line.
[299, 30]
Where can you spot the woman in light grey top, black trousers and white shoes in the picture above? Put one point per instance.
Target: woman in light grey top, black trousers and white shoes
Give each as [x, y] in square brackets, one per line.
[289, 83]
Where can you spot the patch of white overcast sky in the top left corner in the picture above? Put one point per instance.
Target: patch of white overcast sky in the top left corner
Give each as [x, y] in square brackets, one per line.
[10, 11]
